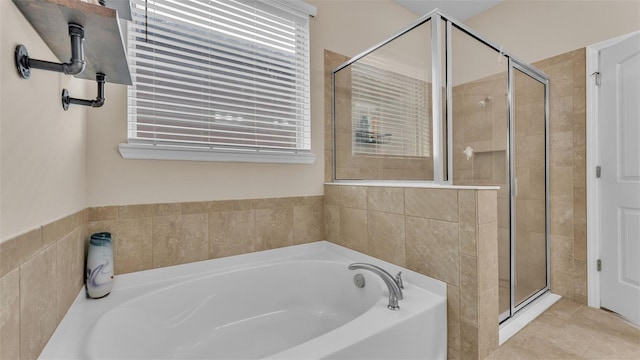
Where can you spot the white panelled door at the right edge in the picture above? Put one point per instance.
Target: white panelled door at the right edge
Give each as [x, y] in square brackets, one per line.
[619, 184]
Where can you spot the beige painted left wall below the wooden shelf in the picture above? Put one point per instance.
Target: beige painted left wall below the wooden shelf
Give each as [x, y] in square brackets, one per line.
[42, 147]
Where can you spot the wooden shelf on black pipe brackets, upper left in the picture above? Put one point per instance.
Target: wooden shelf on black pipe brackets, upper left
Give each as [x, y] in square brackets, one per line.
[104, 50]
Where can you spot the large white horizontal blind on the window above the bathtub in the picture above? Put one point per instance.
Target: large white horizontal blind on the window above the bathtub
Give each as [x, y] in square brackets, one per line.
[228, 75]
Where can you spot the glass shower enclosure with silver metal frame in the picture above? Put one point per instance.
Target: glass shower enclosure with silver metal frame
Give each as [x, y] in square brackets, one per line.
[437, 102]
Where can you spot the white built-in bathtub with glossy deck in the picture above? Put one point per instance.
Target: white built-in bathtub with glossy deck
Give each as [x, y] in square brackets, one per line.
[298, 302]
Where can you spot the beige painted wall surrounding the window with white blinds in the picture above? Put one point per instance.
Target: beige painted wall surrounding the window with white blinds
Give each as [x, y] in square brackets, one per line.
[115, 181]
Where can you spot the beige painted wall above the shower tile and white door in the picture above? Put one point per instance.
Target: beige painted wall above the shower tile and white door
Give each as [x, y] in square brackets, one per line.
[533, 30]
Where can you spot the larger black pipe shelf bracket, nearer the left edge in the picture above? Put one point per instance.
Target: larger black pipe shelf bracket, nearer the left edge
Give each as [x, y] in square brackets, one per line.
[75, 66]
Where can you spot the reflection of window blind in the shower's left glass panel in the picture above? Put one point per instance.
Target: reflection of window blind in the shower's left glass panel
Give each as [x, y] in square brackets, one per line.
[390, 112]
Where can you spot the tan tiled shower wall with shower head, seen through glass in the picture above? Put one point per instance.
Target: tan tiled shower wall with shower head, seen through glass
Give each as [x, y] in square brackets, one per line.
[480, 121]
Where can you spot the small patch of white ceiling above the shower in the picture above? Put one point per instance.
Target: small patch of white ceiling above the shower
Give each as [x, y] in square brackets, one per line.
[458, 9]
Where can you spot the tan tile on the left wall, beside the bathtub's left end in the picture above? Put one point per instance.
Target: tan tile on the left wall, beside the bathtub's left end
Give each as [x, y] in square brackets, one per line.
[41, 273]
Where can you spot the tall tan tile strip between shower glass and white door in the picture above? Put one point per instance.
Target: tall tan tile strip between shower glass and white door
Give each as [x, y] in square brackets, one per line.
[568, 173]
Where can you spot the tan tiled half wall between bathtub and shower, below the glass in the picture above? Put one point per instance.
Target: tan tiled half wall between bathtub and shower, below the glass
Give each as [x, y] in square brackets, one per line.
[447, 234]
